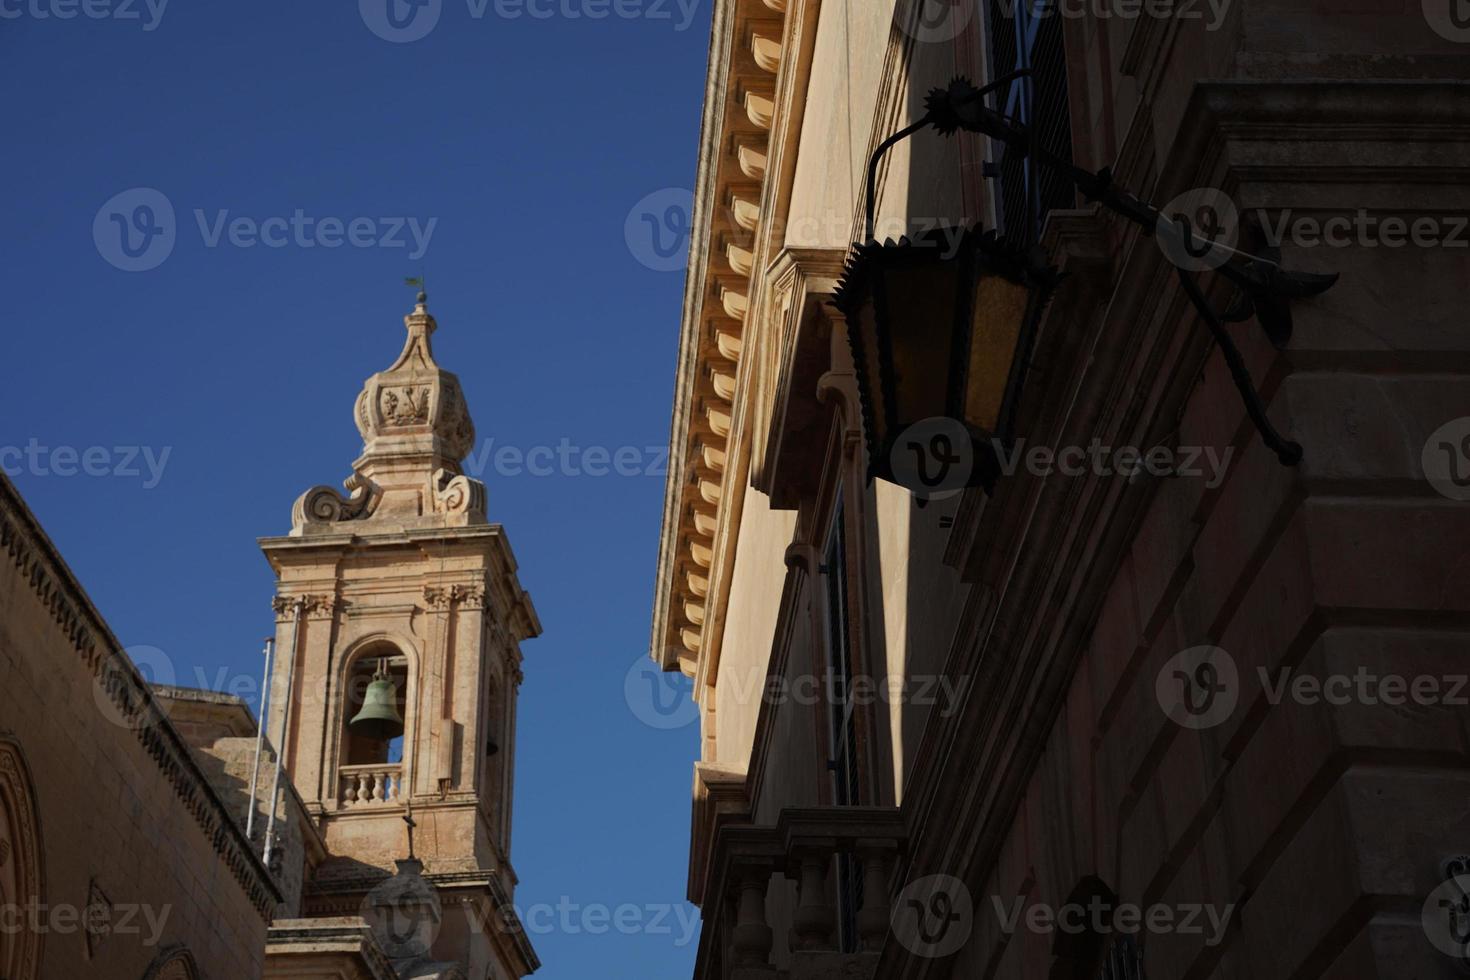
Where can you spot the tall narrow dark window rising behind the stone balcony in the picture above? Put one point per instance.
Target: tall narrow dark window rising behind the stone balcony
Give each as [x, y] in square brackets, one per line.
[842, 721]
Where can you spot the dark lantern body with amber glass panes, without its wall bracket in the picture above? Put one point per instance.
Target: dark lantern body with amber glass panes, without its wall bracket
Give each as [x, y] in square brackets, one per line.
[942, 330]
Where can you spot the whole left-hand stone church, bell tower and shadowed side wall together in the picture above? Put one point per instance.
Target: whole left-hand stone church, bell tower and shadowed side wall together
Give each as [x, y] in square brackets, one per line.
[129, 849]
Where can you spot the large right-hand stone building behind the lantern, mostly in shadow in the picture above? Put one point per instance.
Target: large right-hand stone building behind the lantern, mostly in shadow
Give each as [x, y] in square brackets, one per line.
[1014, 737]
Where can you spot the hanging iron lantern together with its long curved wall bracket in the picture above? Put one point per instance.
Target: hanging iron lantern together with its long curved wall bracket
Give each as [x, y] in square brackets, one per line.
[943, 327]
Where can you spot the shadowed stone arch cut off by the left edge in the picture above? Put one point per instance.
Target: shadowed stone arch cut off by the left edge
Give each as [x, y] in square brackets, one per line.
[21, 873]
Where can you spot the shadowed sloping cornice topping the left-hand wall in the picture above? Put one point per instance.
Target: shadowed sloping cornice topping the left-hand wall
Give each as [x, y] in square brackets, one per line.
[58, 590]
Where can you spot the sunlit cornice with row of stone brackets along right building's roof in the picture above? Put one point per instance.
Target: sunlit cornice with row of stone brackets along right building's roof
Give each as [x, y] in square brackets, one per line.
[761, 57]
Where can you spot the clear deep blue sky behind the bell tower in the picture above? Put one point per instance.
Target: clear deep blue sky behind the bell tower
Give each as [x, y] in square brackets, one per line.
[524, 149]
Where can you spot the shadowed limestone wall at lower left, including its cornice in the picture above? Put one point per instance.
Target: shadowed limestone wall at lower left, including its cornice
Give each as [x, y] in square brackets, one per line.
[127, 824]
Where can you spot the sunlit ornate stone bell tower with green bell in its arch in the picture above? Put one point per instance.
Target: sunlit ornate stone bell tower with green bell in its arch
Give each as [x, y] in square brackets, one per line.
[399, 628]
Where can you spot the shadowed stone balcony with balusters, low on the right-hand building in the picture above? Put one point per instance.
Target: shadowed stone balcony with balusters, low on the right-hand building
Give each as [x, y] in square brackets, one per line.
[749, 865]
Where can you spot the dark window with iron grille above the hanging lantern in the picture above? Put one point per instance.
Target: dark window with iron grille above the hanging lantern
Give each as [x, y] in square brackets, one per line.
[1028, 35]
